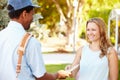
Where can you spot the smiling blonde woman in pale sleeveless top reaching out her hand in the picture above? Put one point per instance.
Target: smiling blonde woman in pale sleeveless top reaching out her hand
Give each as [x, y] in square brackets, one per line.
[97, 60]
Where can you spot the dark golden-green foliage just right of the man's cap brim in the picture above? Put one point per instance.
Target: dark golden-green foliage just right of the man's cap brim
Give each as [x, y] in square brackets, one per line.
[48, 11]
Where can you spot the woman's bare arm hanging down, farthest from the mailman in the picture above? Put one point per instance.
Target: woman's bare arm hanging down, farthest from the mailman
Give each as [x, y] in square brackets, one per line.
[113, 65]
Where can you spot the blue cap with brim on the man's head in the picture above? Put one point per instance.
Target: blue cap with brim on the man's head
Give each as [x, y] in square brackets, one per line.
[19, 4]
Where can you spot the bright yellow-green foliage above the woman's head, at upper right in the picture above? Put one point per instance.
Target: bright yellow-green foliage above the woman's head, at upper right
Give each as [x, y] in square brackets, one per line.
[99, 8]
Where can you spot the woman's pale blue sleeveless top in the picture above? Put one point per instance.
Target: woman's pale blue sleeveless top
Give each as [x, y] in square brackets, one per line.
[92, 67]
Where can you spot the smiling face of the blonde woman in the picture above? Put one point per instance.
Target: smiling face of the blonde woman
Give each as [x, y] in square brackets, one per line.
[92, 31]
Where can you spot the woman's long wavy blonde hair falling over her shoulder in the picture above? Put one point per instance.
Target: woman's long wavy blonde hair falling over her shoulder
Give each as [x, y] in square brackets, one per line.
[104, 41]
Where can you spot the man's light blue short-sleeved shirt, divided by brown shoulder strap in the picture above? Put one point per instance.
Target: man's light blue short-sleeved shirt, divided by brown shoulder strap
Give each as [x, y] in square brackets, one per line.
[32, 61]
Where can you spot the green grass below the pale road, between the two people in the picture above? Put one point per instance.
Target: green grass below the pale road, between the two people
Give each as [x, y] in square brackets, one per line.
[54, 68]
